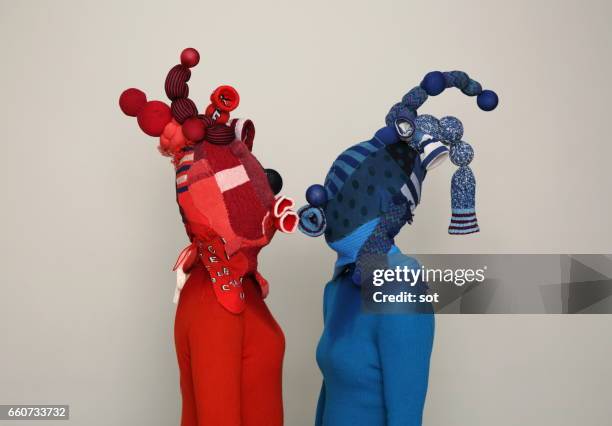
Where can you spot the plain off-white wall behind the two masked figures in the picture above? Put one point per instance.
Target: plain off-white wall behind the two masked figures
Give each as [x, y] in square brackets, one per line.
[90, 229]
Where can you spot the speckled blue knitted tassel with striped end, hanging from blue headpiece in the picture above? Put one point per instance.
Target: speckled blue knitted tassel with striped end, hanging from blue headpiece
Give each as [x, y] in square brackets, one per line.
[463, 191]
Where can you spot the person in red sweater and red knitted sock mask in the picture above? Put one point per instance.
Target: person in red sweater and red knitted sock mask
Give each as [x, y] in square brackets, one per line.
[229, 347]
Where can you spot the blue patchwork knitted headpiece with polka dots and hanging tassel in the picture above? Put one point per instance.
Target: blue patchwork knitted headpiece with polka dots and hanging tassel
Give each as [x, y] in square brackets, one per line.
[373, 188]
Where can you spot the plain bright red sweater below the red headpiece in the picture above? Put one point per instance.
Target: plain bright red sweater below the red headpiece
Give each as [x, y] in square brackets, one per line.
[230, 364]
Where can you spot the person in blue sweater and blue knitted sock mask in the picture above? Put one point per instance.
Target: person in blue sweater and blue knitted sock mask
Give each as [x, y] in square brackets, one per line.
[375, 366]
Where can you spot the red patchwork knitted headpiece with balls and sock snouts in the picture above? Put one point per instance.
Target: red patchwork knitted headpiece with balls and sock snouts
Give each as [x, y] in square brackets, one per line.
[227, 200]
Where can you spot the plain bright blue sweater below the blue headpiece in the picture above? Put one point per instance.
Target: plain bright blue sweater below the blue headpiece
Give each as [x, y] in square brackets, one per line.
[375, 366]
